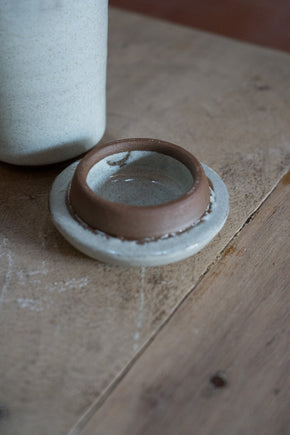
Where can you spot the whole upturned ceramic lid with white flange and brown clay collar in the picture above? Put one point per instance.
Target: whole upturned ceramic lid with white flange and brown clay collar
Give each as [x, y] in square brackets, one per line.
[139, 202]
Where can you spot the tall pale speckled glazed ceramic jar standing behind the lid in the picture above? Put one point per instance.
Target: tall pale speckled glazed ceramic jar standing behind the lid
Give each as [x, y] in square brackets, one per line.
[53, 57]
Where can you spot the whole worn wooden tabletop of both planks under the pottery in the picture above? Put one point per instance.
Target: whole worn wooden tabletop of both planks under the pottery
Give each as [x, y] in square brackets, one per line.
[197, 347]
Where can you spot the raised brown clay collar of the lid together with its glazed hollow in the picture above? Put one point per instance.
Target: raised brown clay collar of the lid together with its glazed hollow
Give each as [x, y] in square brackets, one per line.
[139, 188]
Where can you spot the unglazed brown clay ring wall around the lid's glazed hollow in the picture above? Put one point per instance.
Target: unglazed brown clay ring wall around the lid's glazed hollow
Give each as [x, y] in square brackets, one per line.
[134, 222]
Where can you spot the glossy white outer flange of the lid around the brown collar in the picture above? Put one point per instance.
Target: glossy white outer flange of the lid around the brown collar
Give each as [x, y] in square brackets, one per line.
[112, 250]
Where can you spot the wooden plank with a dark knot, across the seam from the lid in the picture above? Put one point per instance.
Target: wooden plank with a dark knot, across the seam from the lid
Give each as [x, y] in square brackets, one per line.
[221, 364]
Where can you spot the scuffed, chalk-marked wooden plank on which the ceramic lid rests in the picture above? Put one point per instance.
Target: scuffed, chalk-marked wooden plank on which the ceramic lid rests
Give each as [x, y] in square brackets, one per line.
[70, 325]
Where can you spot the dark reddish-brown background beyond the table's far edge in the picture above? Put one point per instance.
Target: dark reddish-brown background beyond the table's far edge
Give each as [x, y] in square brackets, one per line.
[264, 22]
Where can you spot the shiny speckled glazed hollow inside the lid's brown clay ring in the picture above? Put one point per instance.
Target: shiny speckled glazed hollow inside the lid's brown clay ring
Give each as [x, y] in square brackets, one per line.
[140, 178]
